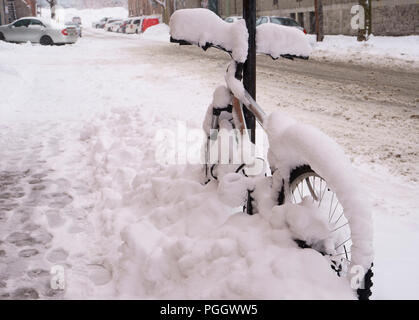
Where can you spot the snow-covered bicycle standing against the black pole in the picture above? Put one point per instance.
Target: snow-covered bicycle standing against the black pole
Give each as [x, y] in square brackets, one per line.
[309, 179]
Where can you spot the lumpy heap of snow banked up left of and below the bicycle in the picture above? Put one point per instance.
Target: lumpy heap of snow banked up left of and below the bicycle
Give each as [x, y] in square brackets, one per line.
[167, 236]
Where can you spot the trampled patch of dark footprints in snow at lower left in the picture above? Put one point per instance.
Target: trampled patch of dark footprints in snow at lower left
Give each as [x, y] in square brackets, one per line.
[25, 246]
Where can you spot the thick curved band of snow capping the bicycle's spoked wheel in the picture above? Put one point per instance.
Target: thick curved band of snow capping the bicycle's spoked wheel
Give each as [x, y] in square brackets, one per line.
[293, 144]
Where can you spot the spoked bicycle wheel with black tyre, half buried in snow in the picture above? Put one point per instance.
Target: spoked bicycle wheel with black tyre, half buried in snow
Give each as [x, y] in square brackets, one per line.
[303, 183]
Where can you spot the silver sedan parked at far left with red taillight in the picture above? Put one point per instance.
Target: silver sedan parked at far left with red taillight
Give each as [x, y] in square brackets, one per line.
[36, 30]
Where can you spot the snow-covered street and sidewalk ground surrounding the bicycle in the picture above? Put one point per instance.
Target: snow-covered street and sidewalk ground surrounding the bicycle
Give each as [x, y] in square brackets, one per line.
[79, 185]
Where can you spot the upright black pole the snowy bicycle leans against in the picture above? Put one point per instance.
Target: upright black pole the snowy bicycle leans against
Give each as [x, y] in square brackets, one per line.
[249, 71]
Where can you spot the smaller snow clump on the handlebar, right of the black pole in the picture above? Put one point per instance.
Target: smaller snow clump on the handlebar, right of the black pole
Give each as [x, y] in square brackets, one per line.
[277, 40]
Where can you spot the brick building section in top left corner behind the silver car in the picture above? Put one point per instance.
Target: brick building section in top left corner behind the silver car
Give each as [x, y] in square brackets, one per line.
[10, 10]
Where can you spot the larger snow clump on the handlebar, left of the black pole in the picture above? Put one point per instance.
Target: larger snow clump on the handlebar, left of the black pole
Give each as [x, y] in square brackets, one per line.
[202, 26]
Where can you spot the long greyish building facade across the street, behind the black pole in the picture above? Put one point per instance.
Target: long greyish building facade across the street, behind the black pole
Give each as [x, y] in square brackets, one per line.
[389, 17]
